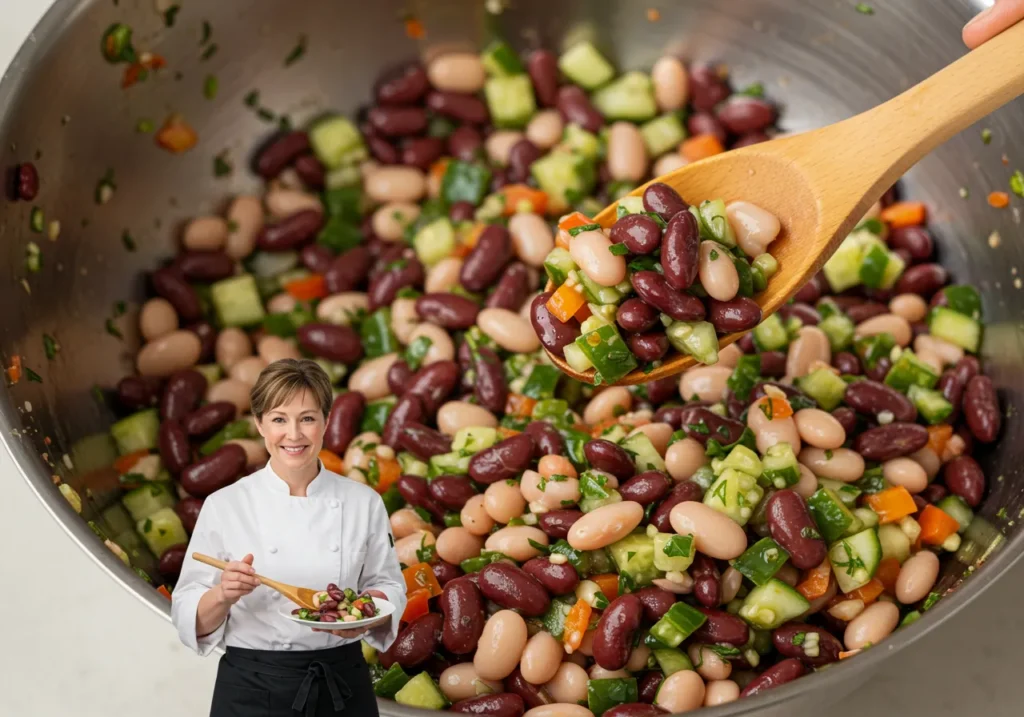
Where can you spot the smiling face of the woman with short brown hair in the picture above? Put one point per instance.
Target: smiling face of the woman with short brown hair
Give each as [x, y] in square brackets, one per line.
[293, 432]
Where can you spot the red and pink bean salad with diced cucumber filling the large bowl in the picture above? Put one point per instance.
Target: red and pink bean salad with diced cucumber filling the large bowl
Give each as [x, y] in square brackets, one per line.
[573, 551]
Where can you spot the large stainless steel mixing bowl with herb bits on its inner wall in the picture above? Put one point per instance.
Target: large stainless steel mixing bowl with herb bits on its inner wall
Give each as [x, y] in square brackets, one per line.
[62, 107]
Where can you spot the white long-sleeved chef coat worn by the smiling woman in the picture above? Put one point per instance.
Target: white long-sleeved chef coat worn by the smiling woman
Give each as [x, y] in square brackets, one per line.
[338, 533]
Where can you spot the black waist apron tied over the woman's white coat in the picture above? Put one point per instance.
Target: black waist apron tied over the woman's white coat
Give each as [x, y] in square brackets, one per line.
[333, 683]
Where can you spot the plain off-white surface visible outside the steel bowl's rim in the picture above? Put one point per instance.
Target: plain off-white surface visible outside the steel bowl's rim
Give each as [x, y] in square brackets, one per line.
[76, 644]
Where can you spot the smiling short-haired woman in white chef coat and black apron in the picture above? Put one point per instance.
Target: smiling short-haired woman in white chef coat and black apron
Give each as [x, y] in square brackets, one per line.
[303, 525]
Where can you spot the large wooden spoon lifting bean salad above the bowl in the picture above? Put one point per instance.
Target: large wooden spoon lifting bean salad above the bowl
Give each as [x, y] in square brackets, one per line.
[820, 184]
